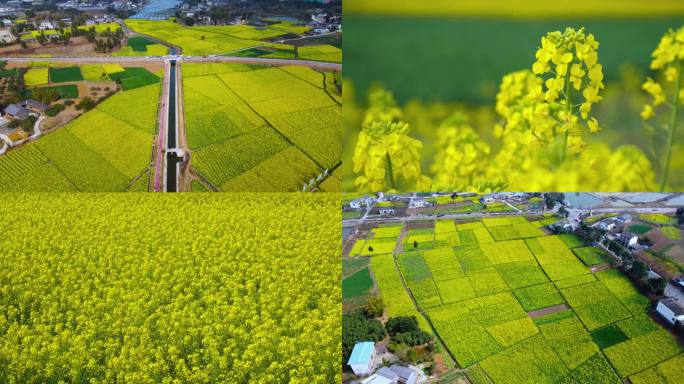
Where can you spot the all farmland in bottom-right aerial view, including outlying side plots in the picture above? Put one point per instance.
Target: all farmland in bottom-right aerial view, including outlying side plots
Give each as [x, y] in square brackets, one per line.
[508, 297]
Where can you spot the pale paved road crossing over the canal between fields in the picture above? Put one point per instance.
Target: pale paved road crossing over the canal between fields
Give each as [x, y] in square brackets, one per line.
[191, 59]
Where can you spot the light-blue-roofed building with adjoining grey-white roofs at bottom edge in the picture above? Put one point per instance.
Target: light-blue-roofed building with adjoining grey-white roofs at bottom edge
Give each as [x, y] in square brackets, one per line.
[363, 362]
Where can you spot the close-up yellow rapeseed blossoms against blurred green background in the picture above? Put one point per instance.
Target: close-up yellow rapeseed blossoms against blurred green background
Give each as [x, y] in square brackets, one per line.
[542, 140]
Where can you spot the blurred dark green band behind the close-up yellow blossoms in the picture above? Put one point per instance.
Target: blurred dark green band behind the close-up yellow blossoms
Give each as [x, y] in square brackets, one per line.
[441, 59]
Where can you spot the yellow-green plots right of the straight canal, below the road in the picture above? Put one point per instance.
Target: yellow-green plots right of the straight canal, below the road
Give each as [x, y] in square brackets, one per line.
[258, 128]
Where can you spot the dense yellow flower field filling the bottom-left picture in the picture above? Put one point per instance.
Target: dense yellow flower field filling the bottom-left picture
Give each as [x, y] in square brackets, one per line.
[92, 294]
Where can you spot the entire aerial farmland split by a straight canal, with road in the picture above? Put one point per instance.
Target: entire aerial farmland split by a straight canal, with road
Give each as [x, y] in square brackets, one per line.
[259, 110]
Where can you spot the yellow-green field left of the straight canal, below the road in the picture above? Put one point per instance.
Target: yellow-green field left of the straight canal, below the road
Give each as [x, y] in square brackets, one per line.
[103, 150]
